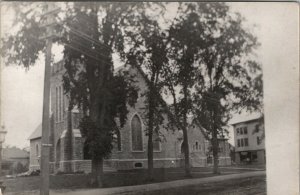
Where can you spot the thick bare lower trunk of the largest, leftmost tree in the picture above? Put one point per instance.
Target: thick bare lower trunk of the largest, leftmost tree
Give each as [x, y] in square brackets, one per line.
[97, 172]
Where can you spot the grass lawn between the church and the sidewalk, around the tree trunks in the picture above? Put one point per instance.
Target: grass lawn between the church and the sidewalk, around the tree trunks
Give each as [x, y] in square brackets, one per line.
[120, 178]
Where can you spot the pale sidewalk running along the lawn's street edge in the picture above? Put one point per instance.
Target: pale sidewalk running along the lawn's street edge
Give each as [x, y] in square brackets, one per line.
[140, 189]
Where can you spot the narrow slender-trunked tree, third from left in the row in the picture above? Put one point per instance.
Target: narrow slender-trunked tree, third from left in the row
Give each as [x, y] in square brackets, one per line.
[181, 75]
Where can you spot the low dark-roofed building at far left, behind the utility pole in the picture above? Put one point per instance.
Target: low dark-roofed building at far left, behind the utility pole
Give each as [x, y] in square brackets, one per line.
[14, 160]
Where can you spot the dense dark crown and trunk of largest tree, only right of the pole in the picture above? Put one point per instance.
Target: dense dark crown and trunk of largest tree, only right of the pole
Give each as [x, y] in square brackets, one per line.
[90, 80]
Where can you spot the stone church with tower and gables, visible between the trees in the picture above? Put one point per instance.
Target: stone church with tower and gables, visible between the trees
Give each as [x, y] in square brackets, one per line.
[68, 153]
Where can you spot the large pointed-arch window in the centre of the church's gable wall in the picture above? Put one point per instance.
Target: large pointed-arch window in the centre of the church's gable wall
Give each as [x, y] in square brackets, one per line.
[136, 134]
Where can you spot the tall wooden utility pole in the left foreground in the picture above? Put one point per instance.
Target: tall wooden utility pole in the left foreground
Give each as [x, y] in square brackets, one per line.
[48, 21]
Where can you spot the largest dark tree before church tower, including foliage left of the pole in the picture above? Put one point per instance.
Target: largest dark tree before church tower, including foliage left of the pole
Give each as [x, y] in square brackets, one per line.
[91, 34]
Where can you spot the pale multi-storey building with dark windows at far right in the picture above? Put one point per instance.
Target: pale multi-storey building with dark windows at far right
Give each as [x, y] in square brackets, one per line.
[249, 141]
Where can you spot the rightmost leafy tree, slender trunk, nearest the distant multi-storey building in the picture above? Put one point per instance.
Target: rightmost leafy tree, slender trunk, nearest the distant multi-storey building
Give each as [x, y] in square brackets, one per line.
[228, 78]
